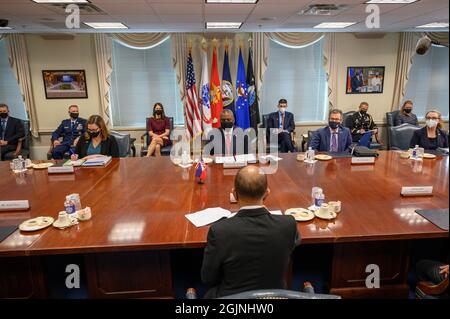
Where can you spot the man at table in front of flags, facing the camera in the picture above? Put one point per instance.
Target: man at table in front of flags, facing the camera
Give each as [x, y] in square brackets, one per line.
[229, 137]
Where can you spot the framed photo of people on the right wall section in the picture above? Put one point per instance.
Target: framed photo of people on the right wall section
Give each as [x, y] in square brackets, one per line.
[365, 79]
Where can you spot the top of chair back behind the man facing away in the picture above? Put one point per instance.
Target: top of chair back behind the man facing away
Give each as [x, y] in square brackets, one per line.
[278, 294]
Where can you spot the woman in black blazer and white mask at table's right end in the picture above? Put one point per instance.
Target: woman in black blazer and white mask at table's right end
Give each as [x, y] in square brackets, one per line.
[431, 136]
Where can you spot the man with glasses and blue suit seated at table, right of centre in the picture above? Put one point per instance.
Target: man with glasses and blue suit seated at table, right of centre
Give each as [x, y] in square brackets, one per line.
[333, 138]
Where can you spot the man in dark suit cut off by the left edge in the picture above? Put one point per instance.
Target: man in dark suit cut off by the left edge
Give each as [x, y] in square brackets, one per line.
[11, 130]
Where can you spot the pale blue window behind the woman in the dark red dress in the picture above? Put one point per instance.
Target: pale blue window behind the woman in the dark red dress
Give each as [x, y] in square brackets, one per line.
[140, 78]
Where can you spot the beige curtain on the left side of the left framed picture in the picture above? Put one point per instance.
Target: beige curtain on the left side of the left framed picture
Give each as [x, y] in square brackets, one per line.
[18, 60]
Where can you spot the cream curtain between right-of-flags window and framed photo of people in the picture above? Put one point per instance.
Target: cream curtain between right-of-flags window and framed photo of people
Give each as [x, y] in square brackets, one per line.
[331, 69]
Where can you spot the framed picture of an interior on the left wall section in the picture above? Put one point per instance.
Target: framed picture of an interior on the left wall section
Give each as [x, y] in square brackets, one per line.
[70, 84]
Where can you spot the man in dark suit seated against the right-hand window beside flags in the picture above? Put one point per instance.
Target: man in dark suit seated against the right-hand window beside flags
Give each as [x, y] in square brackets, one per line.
[284, 125]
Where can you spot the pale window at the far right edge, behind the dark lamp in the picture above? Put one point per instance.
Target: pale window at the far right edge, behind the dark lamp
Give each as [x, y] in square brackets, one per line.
[428, 80]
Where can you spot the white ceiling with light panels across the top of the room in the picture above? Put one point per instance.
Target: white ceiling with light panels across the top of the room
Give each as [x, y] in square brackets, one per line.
[191, 15]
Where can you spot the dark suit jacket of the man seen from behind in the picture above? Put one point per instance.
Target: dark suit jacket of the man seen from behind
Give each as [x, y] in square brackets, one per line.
[248, 251]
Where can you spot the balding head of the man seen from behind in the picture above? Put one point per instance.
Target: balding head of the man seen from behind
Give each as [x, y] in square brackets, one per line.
[250, 184]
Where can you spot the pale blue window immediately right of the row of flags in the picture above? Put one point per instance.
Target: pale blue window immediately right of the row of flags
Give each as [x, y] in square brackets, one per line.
[298, 76]
